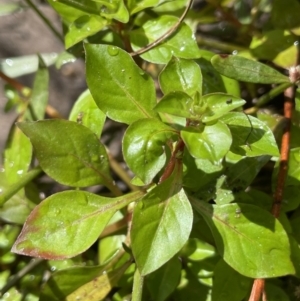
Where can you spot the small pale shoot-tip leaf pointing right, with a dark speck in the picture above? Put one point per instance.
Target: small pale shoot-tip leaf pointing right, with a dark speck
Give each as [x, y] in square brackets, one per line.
[218, 104]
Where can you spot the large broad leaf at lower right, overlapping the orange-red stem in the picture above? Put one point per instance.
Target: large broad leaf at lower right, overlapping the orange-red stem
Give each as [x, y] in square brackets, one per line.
[252, 241]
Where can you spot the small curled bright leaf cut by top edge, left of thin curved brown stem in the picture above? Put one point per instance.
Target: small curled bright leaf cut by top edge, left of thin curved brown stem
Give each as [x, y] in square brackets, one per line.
[114, 9]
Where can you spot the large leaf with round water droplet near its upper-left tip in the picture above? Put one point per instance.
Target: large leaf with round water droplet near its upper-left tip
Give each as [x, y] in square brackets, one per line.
[119, 87]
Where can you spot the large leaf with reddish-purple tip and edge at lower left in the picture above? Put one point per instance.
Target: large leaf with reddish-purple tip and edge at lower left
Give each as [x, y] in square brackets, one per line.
[67, 217]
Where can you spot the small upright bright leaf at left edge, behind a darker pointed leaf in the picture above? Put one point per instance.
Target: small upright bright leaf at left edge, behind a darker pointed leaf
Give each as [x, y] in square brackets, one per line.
[17, 155]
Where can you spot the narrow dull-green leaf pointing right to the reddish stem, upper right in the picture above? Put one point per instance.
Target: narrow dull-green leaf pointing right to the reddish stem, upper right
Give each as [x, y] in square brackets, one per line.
[247, 70]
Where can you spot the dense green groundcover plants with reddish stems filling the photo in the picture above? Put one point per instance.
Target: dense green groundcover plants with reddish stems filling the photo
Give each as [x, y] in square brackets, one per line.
[192, 219]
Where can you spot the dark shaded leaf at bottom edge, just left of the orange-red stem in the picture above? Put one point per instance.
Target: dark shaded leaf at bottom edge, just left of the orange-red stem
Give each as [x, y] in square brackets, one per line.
[229, 284]
